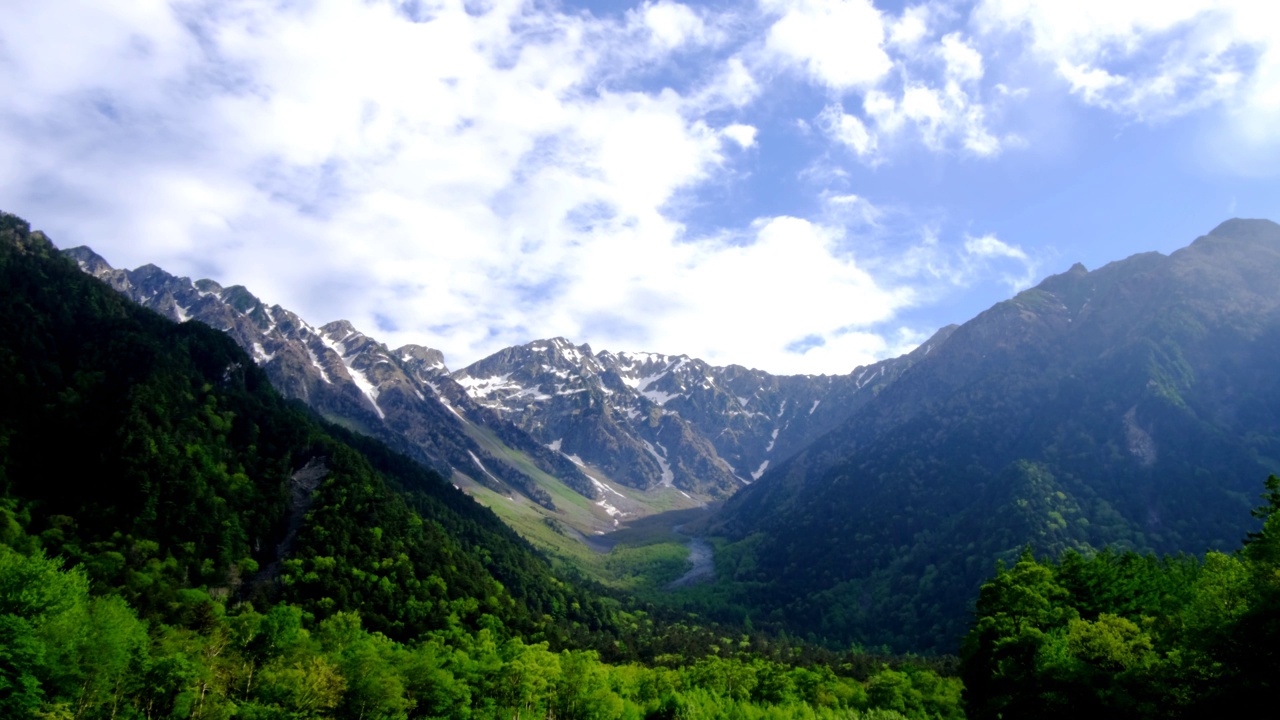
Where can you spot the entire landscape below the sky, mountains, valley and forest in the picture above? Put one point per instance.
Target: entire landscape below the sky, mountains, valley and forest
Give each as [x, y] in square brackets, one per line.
[591, 508]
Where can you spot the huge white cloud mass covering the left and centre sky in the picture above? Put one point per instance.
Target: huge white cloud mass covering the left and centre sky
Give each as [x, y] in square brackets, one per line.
[469, 179]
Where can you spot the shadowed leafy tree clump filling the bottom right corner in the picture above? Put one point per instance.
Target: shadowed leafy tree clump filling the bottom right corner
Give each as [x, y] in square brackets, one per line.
[1122, 635]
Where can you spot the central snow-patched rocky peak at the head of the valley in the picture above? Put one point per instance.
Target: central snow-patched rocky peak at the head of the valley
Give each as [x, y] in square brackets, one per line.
[648, 420]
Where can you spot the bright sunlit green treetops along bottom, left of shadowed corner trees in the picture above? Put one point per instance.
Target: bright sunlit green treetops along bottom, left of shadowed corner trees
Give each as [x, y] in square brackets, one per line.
[68, 654]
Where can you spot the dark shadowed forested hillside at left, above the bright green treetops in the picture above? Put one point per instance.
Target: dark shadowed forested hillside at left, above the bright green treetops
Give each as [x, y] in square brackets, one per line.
[159, 457]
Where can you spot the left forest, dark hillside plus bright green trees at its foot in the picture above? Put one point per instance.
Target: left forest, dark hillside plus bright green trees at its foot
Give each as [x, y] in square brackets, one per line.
[179, 541]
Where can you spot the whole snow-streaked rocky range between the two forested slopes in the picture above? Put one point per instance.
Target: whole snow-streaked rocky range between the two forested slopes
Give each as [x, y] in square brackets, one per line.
[532, 413]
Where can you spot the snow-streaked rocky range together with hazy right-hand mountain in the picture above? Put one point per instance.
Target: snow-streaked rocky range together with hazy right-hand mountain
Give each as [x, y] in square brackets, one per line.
[1135, 405]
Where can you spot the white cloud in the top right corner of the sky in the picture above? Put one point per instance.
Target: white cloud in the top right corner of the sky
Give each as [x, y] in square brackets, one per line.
[1156, 62]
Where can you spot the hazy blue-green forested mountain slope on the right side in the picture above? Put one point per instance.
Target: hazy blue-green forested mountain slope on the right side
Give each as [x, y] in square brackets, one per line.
[1137, 405]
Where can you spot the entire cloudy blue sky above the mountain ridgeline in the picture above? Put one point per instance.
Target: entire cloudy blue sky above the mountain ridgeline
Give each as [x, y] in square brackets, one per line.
[796, 186]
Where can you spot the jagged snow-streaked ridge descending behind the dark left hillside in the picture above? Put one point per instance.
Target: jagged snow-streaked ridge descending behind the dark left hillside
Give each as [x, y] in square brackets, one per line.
[403, 397]
